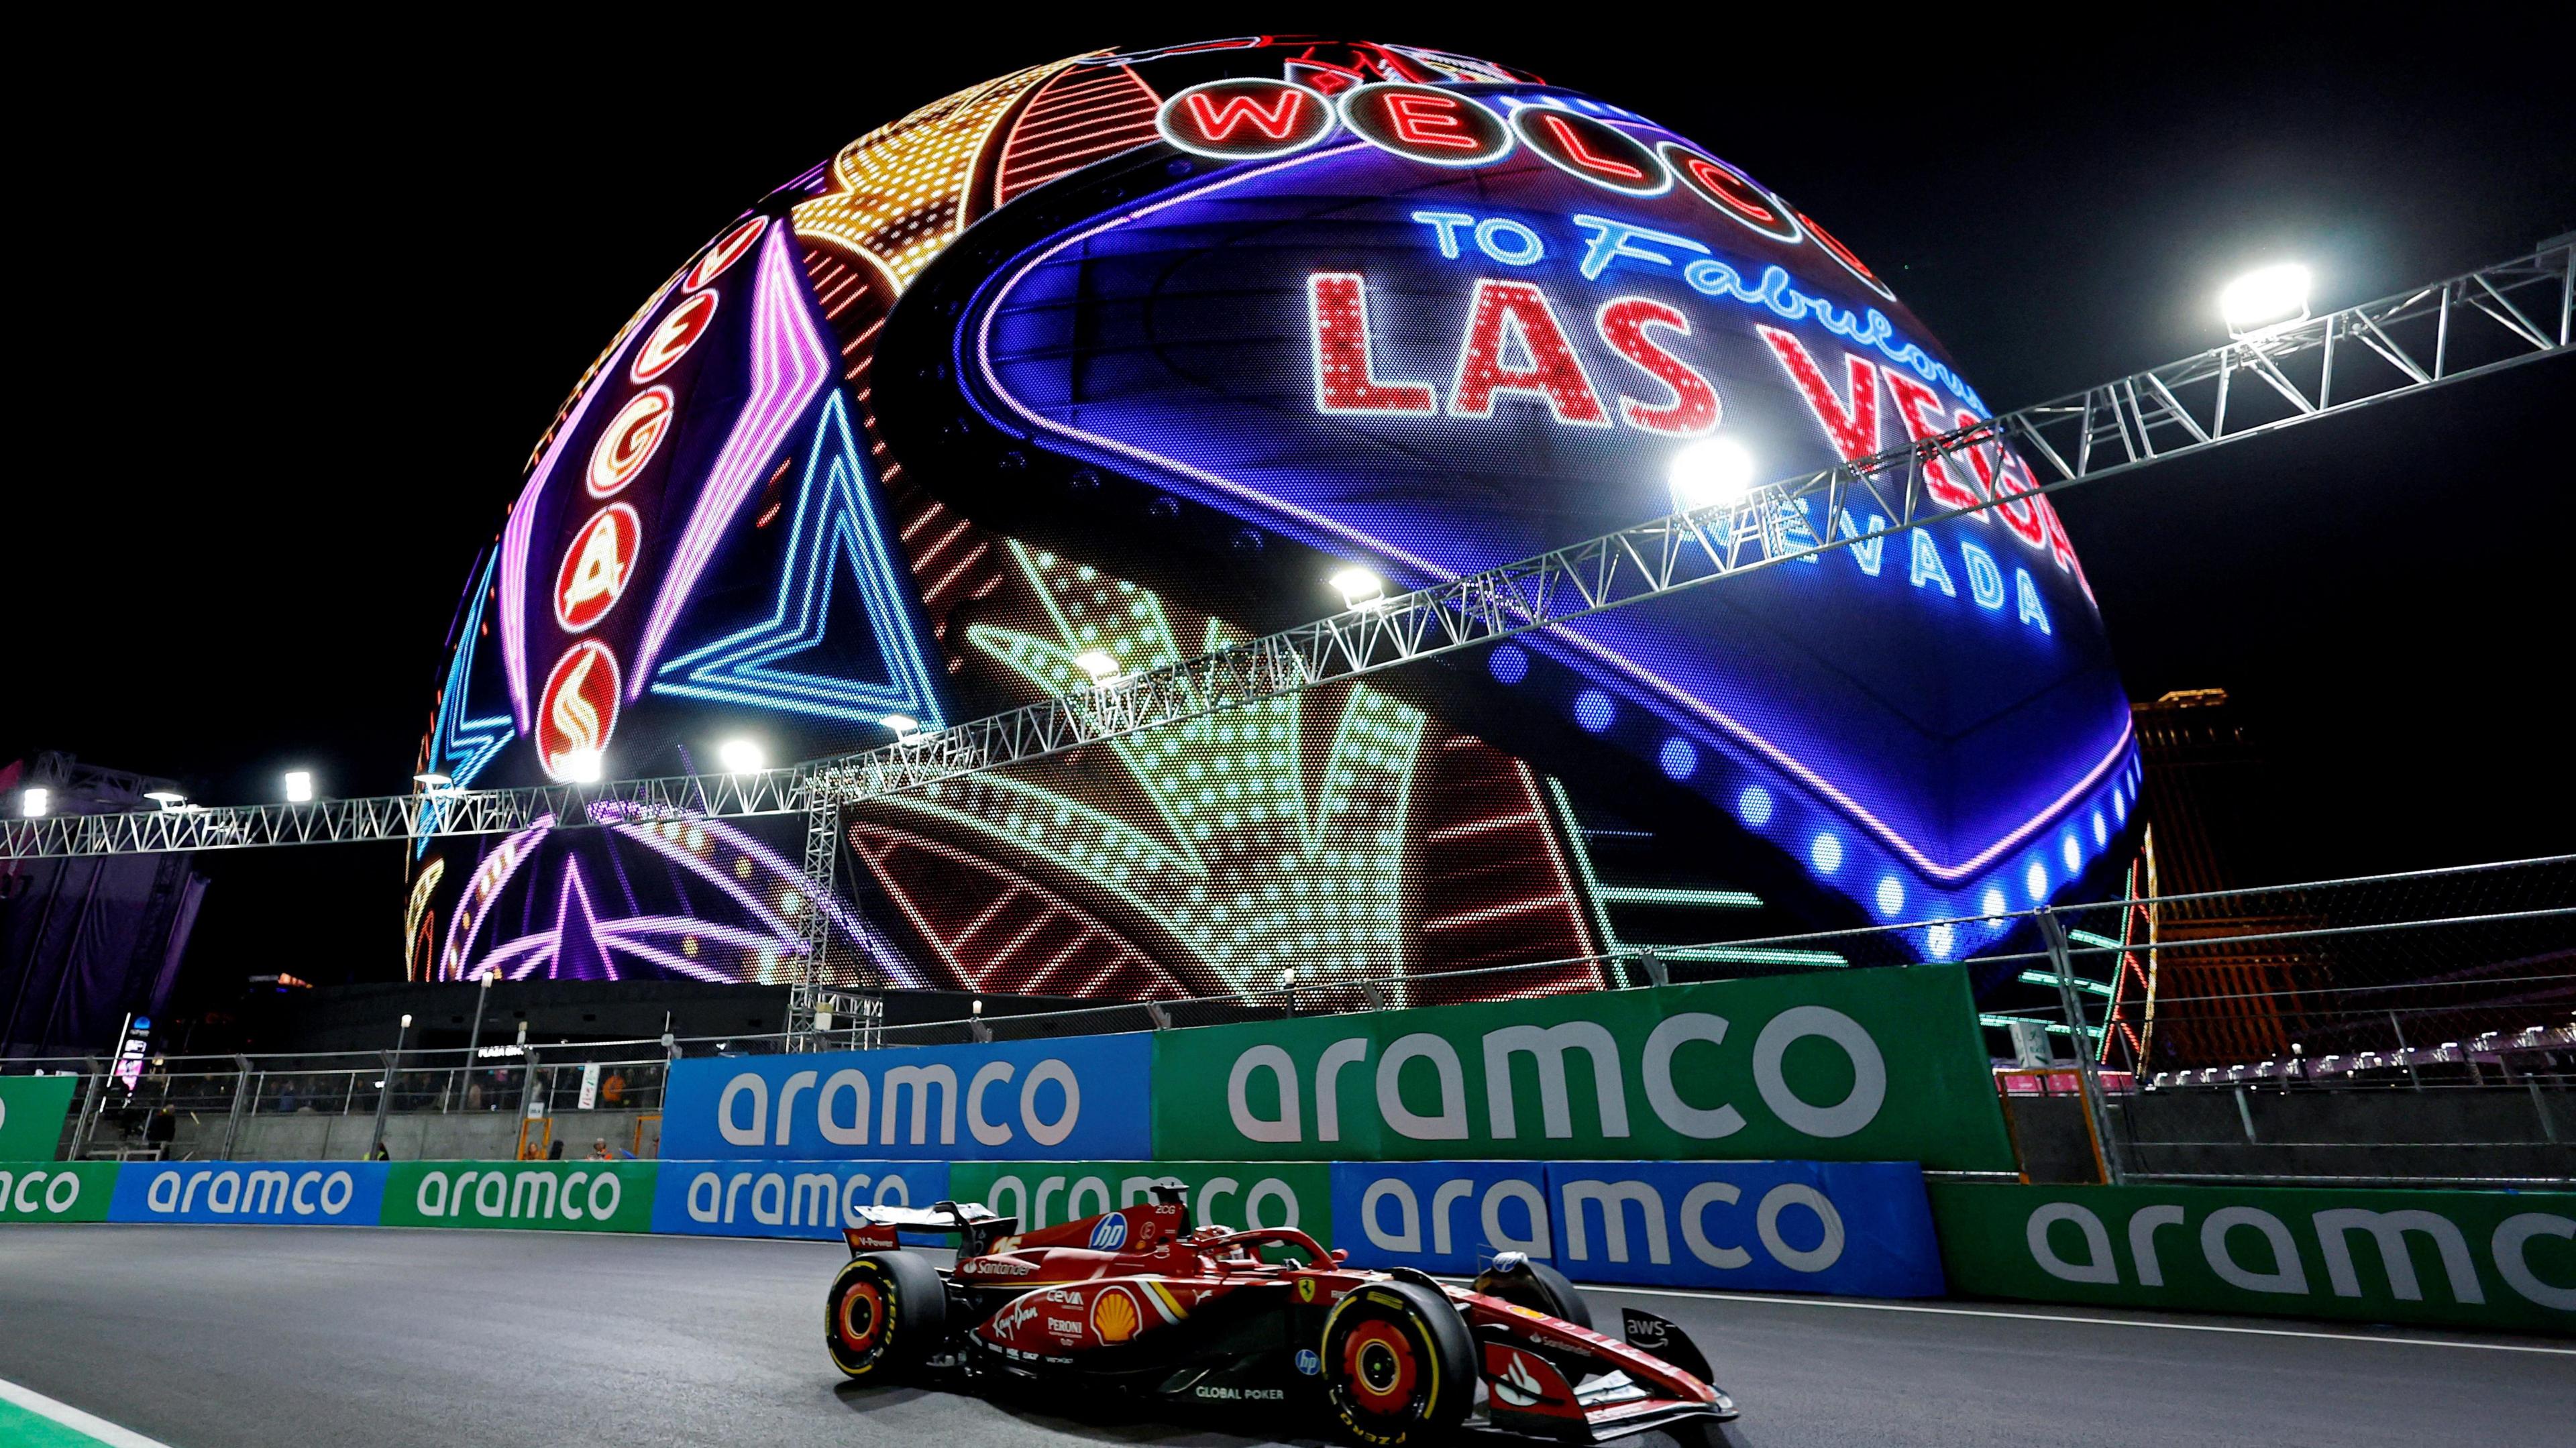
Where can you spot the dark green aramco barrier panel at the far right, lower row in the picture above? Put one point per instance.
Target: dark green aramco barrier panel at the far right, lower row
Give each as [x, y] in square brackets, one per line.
[2456, 1259]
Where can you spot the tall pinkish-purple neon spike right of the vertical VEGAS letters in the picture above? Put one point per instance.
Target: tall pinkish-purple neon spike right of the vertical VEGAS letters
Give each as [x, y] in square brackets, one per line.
[790, 370]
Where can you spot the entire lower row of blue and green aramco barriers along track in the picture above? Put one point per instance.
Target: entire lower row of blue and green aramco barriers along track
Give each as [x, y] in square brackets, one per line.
[2433, 1259]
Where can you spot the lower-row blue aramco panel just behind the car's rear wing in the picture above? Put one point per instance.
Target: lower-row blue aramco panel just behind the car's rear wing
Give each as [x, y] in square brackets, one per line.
[790, 1199]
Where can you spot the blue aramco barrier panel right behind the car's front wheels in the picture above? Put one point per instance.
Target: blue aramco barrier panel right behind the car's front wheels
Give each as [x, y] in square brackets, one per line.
[1823, 1228]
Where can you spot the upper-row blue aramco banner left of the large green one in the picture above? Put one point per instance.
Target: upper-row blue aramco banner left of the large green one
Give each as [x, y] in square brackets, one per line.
[1075, 1099]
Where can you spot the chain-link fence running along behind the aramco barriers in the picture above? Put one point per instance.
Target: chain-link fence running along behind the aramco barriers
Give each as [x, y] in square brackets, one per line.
[2448, 986]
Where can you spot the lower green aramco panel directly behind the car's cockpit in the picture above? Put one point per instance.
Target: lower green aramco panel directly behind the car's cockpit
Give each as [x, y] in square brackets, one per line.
[1222, 1194]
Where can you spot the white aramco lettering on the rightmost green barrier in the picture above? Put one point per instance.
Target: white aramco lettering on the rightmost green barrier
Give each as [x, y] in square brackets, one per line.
[2227, 1246]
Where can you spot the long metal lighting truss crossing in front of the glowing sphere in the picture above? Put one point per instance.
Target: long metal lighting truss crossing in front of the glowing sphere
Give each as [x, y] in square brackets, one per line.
[2469, 326]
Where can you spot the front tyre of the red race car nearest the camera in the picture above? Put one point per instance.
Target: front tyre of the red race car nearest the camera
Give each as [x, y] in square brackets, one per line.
[1400, 1364]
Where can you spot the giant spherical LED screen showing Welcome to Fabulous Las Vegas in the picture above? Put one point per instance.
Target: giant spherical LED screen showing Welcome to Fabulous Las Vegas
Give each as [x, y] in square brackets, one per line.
[1130, 354]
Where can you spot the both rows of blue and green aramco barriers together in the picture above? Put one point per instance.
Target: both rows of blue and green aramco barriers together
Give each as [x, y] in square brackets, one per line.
[1606, 1132]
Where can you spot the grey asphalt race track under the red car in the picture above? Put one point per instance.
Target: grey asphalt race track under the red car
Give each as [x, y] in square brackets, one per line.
[385, 1338]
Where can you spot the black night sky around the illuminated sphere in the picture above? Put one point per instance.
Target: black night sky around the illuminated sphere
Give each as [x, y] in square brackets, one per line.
[305, 316]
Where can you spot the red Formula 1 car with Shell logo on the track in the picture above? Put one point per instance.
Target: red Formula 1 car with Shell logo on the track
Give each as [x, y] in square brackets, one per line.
[1142, 1302]
